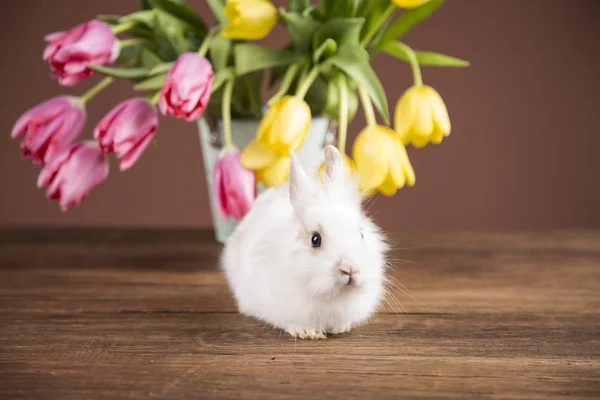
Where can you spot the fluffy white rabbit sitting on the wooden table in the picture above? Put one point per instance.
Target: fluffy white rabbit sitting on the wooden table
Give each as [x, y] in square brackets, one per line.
[306, 259]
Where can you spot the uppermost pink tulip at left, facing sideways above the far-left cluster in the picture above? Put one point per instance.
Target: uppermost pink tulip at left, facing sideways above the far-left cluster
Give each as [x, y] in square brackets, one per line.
[69, 53]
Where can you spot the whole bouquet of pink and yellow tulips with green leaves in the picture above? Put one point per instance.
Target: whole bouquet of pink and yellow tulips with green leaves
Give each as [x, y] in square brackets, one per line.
[184, 69]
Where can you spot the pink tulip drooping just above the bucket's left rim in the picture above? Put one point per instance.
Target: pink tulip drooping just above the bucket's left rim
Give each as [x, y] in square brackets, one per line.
[187, 88]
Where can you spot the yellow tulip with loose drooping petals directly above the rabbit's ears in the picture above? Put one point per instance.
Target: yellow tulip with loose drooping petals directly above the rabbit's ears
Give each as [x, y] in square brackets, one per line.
[284, 127]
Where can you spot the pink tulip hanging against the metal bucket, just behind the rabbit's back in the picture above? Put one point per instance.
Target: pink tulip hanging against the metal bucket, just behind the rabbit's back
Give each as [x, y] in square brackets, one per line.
[233, 185]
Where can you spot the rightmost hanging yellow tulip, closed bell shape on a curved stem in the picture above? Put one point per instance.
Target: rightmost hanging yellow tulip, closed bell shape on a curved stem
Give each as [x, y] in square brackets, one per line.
[421, 117]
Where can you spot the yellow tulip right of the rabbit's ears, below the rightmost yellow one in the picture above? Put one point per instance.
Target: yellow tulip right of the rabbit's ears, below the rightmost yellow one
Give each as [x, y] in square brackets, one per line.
[382, 161]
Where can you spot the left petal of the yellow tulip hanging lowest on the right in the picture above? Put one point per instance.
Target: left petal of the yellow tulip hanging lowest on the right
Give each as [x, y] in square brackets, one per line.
[367, 150]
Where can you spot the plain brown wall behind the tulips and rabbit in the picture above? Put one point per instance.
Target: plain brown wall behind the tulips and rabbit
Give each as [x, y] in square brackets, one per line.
[523, 153]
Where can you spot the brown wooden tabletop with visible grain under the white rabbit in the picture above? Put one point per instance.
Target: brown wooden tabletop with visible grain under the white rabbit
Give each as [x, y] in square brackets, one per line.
[113, 314]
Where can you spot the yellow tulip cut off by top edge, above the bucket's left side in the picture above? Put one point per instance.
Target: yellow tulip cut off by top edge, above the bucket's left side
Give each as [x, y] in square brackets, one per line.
[249, 19]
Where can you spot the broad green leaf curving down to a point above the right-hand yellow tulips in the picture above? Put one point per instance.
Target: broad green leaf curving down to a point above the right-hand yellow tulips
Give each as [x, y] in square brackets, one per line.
[354, 62]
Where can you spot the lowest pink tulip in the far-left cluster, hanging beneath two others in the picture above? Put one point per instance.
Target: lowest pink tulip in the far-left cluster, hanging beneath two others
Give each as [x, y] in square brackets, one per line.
[73, 173]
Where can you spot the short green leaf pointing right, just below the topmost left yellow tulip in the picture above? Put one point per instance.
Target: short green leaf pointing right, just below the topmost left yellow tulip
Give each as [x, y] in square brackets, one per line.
[251, 57]
